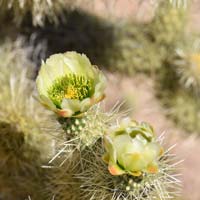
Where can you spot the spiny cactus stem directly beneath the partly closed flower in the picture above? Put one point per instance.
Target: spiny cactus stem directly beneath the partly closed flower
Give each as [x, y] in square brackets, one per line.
[98, 183]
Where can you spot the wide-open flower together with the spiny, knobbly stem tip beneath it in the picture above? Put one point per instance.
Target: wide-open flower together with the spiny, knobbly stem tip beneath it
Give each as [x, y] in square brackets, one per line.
[70, 90]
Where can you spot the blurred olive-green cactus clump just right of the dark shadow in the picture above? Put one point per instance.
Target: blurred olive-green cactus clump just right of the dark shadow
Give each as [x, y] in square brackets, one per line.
[132, 50]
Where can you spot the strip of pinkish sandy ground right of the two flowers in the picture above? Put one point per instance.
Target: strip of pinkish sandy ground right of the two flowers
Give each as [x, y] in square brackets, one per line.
[139, 93]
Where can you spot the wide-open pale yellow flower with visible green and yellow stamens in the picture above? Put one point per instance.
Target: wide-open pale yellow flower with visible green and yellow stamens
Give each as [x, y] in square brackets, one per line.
[69, 85]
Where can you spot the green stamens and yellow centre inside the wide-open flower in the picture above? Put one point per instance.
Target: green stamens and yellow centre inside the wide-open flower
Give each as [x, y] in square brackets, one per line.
[70, 86]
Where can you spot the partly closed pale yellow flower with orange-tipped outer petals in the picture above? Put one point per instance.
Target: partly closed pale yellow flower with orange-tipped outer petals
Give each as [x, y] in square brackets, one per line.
[132, 149]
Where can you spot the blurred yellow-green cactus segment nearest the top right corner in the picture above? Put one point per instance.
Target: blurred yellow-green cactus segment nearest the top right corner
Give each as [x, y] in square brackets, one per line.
[168, 25]
